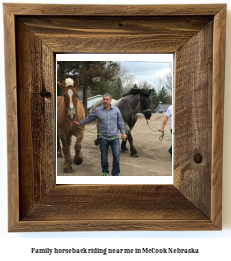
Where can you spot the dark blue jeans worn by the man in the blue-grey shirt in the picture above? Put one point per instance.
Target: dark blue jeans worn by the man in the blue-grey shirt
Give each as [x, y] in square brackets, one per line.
[115, 146]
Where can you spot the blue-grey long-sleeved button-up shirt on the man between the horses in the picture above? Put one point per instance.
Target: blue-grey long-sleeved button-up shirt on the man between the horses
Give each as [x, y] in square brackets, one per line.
[109, 121]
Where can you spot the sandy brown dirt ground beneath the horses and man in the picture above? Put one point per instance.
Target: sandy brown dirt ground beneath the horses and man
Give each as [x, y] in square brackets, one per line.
[154, 158]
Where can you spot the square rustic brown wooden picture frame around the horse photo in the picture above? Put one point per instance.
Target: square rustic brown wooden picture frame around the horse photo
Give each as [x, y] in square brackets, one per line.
[33, 34]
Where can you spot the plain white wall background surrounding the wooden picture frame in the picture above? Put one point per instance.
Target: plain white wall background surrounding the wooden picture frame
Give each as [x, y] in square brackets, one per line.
[210, 243]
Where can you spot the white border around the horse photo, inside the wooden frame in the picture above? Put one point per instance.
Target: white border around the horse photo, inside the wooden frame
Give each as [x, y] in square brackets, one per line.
[76, 180]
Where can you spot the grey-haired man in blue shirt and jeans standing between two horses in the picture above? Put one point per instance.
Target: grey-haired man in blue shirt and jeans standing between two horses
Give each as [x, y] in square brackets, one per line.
[109, 121]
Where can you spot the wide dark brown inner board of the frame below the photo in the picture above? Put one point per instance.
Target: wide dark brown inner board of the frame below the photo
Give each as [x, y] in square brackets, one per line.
[113, 202]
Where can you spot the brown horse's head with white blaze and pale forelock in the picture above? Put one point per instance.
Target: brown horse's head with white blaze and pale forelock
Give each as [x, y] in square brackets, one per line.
[70, 95]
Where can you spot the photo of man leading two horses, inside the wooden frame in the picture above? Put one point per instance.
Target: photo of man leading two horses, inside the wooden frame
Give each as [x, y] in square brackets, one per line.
[115, 117]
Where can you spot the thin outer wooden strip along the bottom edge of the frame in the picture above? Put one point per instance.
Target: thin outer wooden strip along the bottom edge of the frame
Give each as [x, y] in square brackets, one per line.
[114, 225]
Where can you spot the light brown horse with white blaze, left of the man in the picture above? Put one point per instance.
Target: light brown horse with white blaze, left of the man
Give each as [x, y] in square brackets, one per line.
[69, 109]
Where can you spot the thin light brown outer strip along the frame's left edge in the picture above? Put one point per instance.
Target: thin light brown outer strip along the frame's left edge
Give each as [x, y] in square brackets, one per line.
[12, 117]
